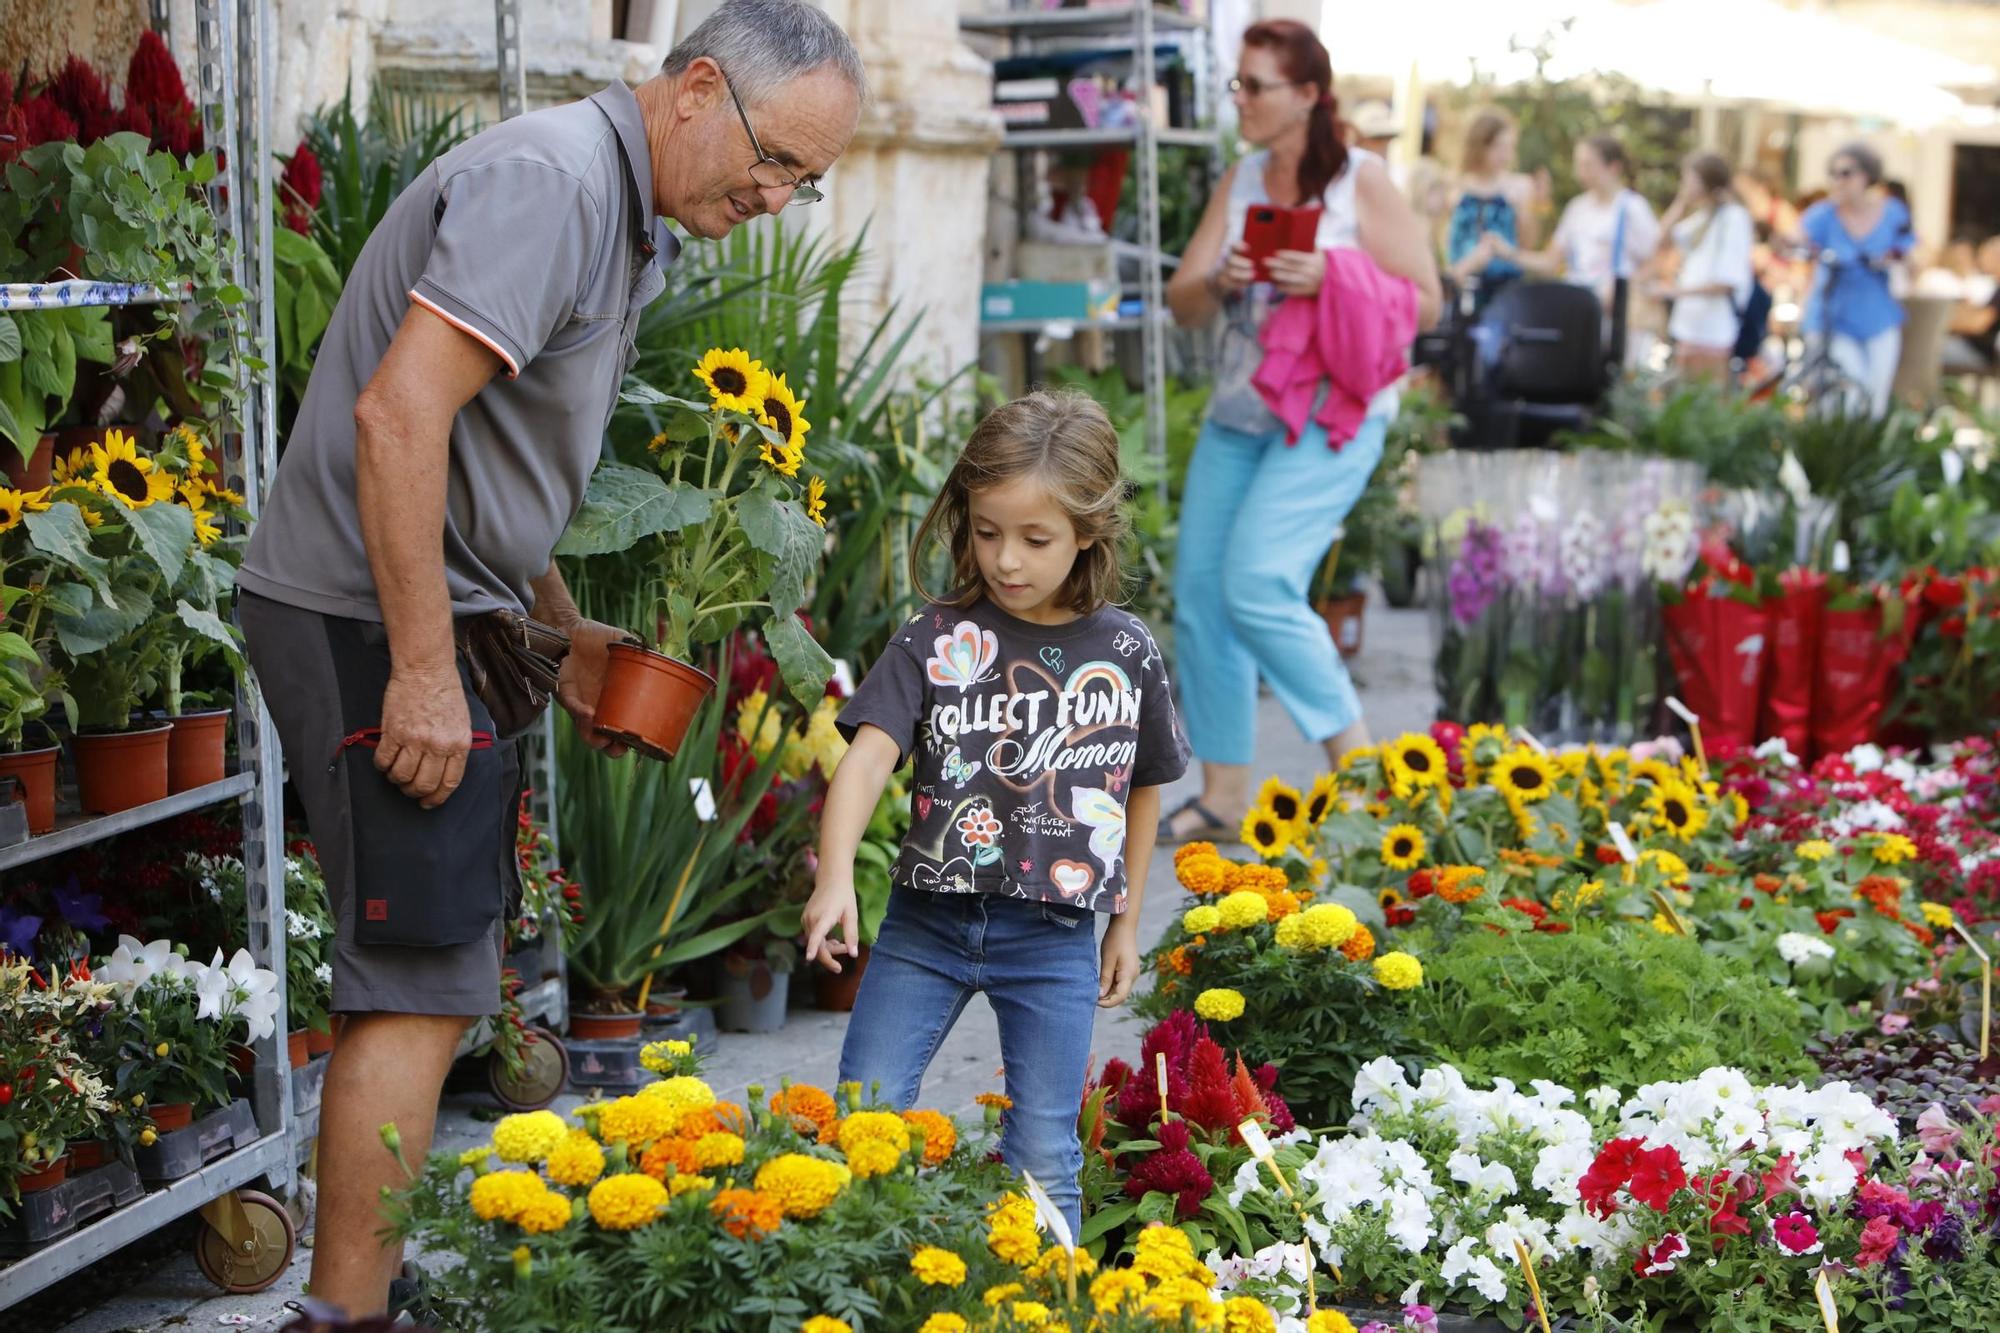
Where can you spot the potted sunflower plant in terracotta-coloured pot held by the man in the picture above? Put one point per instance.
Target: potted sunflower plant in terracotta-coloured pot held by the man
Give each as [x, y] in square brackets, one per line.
[735, 531]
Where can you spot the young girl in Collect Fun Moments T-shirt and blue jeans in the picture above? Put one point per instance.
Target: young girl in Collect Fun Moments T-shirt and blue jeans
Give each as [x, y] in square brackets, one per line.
[1041, 724]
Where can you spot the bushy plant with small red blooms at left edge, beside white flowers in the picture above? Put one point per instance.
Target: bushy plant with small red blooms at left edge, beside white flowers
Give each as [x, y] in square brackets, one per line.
[53, 1094]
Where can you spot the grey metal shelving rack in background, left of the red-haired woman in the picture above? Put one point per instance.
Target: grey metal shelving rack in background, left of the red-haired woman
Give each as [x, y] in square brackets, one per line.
[1143, 25]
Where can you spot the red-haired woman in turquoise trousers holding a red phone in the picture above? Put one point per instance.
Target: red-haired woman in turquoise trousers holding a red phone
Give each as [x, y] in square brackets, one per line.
[1261, 509]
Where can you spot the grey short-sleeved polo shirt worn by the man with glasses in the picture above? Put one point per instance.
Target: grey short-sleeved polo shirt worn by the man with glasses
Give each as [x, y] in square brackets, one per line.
[537, 239]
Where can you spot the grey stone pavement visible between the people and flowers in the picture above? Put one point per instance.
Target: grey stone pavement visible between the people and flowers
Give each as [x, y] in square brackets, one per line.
[159, 1288]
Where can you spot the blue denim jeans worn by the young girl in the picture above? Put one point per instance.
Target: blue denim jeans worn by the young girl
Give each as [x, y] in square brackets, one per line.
[1039, 968]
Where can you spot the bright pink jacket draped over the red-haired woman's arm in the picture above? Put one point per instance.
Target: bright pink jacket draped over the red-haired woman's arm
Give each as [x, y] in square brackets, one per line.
[1353, 339]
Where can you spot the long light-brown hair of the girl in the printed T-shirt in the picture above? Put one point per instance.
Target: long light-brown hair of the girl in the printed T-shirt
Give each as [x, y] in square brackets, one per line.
[1065, 441]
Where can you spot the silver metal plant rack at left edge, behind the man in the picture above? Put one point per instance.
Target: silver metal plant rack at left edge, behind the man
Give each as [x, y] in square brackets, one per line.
[233, 71]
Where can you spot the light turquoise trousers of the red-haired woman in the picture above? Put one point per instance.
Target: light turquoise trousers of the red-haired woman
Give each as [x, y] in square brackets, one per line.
[1257, 517]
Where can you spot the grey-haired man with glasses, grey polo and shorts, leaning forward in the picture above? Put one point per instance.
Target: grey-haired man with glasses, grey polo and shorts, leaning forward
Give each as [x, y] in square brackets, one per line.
[453, 421]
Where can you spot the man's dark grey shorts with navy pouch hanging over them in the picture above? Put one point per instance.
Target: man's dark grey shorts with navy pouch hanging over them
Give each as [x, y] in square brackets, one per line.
[419, 898]
